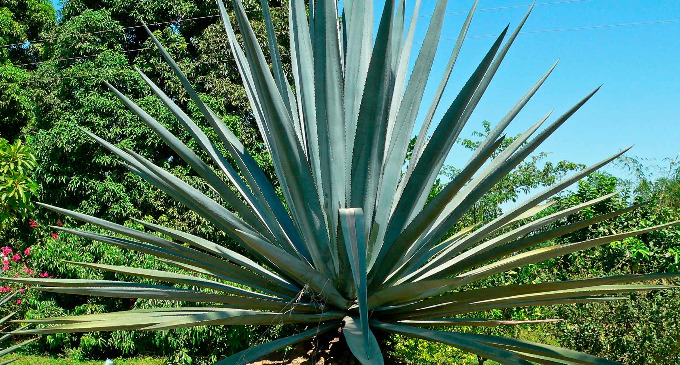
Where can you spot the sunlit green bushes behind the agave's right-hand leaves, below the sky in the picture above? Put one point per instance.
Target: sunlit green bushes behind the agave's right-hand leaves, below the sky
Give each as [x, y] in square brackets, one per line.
[641, 330]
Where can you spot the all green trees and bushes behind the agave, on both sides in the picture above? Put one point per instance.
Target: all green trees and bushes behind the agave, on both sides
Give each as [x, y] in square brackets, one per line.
[51, 71]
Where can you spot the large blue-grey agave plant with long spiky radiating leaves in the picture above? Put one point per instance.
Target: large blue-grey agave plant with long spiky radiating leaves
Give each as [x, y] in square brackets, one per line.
[353, 243]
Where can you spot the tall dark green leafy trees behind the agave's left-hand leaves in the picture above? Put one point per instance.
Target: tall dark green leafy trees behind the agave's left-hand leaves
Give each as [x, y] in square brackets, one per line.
[90, 44]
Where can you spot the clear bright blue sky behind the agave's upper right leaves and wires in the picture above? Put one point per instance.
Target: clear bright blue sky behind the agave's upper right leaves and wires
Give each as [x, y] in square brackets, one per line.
[638, 66]
